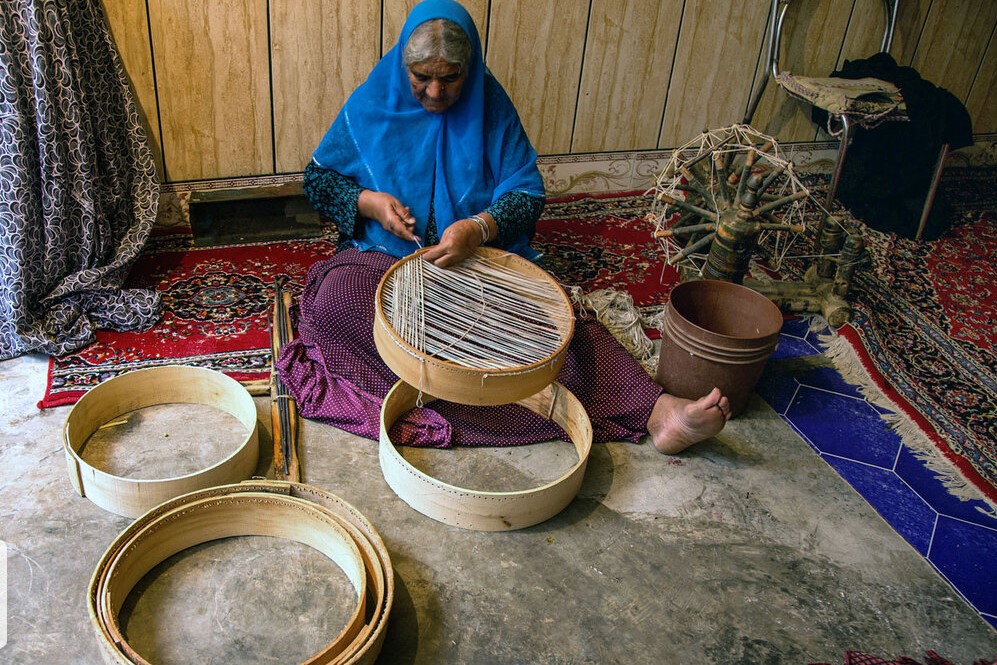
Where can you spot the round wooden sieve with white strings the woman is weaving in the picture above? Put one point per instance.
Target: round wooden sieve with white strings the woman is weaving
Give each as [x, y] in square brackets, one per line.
[491, 330]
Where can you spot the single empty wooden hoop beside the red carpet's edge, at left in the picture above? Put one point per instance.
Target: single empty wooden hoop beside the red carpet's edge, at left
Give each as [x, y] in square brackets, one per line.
[149, 387]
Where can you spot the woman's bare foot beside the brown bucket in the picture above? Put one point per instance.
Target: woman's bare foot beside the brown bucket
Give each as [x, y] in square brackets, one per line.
[677, 423]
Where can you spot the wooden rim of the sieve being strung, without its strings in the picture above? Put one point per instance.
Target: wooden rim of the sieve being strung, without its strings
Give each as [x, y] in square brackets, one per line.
[466, 385]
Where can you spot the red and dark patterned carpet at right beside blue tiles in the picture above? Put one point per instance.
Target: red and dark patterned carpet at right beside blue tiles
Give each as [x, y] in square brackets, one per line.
[925, 331]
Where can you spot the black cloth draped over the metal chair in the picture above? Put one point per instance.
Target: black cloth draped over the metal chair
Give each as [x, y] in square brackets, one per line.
[889, 168]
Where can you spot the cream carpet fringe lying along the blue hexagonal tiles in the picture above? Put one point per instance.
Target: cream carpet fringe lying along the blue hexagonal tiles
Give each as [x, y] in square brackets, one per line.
[846, 360]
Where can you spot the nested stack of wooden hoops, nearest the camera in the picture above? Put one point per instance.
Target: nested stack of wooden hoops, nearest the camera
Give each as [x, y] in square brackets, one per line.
[294, 511]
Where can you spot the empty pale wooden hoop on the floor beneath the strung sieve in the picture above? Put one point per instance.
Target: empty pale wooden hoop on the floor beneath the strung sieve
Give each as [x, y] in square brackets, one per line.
[480, 510]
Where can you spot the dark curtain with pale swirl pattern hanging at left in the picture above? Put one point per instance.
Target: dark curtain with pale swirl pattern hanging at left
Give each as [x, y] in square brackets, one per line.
[78, 186]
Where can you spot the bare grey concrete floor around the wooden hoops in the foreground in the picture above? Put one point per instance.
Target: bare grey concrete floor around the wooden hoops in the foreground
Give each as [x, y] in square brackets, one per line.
[745, 549]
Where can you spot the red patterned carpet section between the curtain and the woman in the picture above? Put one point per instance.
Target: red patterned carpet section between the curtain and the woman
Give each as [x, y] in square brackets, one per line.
[217, 304]
